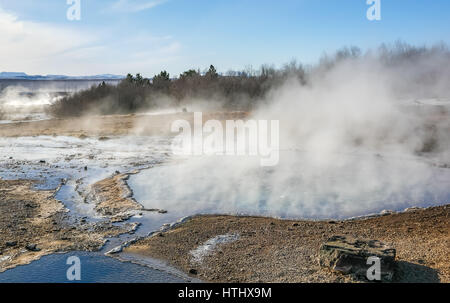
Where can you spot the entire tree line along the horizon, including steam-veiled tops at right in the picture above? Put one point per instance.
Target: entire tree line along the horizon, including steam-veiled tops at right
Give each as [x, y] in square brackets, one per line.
[234, 90]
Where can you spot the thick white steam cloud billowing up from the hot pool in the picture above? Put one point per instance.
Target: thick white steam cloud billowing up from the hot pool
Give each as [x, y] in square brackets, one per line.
[366, 133]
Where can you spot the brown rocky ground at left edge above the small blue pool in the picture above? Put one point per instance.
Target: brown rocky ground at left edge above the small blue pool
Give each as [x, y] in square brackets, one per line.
[33, 224]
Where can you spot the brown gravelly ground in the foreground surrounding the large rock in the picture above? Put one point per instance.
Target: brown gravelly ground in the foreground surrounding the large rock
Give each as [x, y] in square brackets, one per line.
[271, 250]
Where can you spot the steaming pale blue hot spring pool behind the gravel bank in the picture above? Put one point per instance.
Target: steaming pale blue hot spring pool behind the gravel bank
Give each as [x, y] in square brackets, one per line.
[356, 184]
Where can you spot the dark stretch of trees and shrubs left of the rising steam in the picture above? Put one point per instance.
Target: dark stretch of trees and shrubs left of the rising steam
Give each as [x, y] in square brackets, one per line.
[234, 90]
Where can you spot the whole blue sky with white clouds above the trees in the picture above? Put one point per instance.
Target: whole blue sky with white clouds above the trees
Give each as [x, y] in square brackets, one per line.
[147, 36]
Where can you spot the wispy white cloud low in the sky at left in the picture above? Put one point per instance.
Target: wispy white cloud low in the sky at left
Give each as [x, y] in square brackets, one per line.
[44, 48]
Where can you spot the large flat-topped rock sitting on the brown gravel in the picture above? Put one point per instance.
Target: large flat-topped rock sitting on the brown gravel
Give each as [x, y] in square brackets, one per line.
[349, 256]
